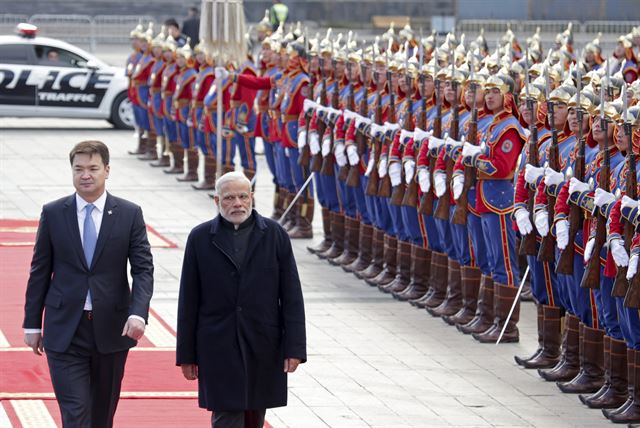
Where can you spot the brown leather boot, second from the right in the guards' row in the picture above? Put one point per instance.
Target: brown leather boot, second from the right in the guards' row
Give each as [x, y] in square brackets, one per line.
[614, 392]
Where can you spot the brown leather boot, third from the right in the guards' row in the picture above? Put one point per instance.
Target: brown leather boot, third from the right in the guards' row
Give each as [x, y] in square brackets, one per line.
[591, 375]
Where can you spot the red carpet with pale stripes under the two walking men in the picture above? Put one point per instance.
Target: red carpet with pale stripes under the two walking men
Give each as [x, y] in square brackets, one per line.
[154, 392]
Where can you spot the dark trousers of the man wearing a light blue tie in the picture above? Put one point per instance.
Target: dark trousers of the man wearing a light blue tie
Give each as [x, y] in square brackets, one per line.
[86, 382]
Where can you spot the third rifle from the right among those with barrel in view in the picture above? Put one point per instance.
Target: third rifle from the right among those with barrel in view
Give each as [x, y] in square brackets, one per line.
[565, 262]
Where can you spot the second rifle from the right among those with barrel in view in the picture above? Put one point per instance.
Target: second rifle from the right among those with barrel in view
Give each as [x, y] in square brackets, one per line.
[591, 277]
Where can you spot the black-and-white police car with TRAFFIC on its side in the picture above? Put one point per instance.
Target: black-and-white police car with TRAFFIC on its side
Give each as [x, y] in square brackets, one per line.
[43, 77]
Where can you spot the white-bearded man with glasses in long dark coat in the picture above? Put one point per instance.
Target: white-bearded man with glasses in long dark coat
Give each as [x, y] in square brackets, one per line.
[241, 324]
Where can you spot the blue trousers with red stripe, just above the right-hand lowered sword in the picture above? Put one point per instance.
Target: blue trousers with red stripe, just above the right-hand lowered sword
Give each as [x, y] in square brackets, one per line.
[501, 246]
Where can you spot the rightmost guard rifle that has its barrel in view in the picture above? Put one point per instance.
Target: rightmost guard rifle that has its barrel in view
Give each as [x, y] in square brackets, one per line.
[621, 284]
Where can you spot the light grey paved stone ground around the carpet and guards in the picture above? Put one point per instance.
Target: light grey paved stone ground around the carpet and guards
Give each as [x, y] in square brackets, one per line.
[372, 362]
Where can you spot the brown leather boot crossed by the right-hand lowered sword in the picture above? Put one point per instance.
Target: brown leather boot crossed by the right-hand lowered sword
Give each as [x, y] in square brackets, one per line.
[504, 297]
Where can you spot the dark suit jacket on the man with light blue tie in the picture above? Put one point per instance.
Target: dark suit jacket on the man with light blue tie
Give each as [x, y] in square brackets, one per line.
[60, 278]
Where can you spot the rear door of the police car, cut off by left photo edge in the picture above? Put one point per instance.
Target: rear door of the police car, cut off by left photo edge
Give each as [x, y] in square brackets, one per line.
[16, 90]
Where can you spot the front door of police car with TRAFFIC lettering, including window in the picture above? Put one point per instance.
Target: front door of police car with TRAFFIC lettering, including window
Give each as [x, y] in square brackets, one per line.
[68, 87]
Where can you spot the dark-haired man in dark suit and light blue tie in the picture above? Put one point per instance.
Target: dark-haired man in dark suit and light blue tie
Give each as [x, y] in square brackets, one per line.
[79, 273]
